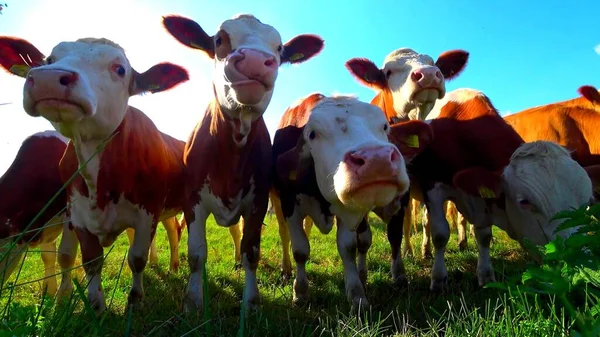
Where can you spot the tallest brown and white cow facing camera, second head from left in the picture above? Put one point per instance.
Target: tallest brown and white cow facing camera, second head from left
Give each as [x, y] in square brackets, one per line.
[228, 155]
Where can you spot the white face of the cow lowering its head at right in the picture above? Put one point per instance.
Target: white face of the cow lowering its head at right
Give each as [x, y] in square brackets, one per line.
[541, 180]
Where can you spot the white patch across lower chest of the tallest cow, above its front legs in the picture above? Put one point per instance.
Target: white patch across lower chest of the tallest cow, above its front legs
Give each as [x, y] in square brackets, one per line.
[226, 216]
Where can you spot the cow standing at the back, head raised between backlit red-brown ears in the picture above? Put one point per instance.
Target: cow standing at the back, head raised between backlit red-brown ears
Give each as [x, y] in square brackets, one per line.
[408, 85]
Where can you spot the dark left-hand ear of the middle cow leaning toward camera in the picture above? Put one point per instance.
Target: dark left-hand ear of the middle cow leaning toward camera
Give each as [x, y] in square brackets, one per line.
[294, 164]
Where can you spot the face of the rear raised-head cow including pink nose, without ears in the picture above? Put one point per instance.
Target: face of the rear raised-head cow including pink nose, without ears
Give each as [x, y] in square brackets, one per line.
[413, 79]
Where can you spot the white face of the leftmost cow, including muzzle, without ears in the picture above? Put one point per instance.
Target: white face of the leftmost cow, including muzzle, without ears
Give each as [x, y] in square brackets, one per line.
[85, 84]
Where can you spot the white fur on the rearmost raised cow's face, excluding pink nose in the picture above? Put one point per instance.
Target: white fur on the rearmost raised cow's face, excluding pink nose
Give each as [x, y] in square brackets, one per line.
[411, 99]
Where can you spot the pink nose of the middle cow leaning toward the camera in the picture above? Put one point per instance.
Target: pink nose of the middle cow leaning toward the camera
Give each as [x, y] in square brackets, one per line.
[380, 160]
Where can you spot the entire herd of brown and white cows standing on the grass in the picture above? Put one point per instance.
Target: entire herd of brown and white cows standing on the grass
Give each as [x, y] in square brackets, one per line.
[332, 158]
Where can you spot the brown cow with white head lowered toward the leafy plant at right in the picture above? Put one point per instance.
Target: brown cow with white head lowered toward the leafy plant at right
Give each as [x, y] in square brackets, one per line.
[494, 177]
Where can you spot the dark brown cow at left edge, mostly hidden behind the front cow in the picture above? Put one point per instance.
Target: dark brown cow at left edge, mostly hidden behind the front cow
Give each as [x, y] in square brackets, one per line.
[25, 189]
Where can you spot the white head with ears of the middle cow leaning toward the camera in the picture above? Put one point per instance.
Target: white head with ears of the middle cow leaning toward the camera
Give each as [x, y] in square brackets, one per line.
[345, 141]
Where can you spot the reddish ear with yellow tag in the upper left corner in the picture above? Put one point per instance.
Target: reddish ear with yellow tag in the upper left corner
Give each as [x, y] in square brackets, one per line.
[17, 56]
